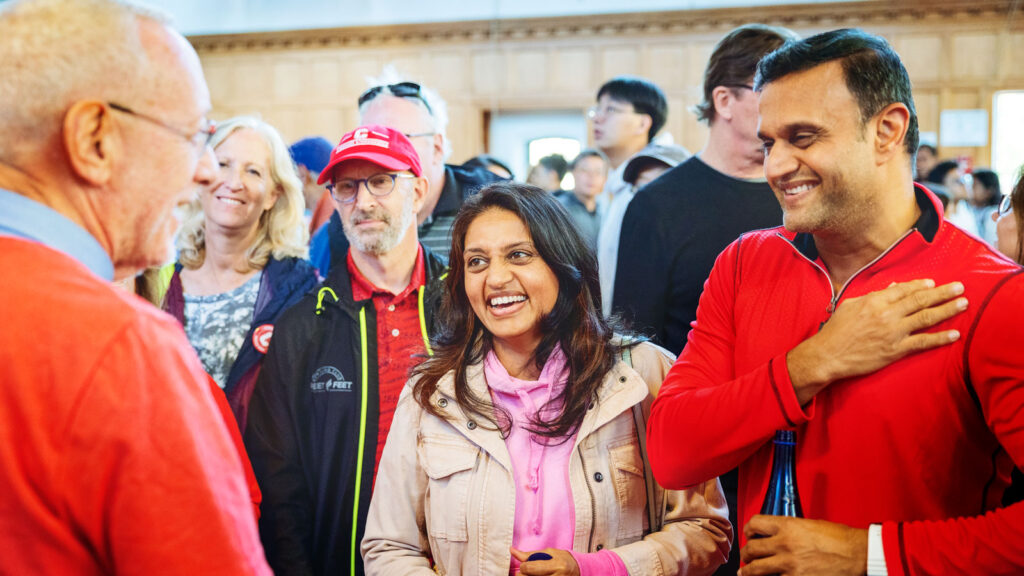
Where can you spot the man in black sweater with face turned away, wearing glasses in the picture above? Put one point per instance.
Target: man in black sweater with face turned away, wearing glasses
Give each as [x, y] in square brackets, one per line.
[677, 226]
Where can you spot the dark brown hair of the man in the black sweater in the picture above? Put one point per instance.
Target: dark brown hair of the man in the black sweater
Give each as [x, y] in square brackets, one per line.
[735, 60]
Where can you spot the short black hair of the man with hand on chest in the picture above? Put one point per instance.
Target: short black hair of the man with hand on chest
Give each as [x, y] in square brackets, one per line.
[873, 70]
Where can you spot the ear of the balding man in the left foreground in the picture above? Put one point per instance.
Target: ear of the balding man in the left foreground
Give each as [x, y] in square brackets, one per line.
[90, 141]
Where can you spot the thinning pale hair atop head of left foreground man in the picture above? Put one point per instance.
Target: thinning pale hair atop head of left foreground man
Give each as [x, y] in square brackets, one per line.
[56, 53]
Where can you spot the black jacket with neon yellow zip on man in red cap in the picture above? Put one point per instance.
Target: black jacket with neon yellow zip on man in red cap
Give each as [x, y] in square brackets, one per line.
[313, 426]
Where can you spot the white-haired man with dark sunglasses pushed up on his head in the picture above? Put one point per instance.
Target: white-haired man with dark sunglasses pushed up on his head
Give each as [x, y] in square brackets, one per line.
[422, 116]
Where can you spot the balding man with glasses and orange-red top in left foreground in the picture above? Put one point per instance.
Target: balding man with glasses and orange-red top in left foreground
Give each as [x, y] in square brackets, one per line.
[114, 459]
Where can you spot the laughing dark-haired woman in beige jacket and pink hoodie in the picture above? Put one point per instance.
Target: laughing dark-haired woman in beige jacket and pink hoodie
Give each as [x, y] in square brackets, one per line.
[525, 433]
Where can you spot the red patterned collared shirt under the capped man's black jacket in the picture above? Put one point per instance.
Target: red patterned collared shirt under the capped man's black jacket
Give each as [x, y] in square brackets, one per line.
[400, 339]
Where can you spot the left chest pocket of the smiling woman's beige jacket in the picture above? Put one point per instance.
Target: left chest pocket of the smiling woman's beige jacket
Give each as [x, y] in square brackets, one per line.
[449, 467]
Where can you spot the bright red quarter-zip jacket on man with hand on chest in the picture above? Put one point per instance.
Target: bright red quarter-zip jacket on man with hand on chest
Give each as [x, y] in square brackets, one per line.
[924, 446]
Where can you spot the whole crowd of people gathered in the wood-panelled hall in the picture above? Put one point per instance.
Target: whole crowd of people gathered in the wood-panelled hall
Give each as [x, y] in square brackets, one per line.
[359, 358]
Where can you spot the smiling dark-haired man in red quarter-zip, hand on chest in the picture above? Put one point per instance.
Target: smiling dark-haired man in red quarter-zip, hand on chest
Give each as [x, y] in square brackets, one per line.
[887, 338]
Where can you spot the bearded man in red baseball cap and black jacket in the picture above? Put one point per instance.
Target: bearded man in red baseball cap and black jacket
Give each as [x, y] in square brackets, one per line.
[339, 359]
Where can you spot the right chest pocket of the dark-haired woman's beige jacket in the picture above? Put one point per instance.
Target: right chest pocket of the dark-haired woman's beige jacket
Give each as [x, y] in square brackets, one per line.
[631, 492]
